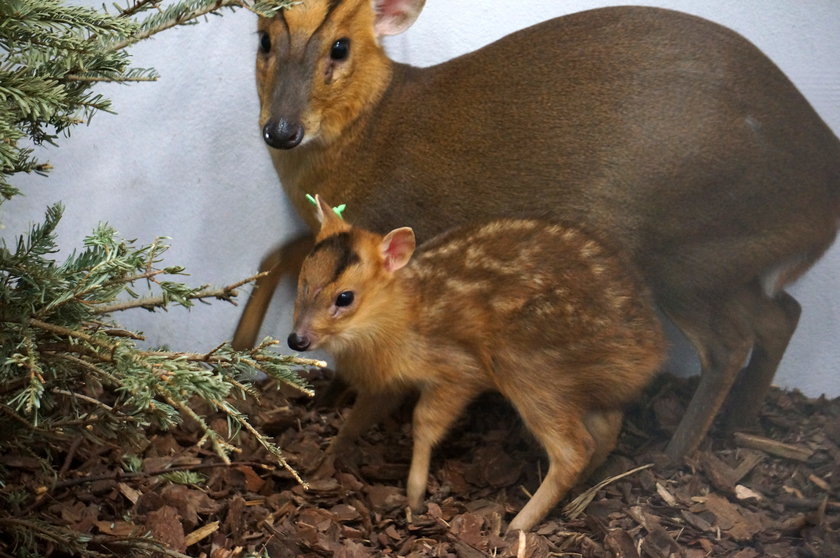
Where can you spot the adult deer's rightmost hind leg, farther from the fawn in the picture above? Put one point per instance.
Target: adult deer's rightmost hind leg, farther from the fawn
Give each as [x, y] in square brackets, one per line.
[775, 320]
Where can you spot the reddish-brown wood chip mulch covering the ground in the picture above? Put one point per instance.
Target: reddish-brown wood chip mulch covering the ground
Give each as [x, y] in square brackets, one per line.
[773, 492]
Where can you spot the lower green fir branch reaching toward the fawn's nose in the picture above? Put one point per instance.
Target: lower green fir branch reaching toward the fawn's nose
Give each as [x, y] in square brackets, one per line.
[155, 382]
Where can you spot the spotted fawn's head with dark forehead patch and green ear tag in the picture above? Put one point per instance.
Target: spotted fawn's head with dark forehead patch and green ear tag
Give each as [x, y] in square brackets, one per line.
[344, 287]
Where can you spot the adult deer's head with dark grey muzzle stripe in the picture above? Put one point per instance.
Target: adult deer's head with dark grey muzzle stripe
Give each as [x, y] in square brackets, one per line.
[320, 63]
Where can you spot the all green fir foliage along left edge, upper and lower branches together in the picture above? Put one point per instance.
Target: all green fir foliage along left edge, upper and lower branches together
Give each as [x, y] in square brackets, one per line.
[69, 373]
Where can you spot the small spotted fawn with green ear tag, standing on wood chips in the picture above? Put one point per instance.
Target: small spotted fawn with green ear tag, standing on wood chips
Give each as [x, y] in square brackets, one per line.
[540, 312]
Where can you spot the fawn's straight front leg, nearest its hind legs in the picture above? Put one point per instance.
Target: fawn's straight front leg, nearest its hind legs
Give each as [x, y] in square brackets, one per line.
[437, 409]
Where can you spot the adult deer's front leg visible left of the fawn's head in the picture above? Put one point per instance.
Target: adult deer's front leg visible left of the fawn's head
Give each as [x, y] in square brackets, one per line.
[285, 259]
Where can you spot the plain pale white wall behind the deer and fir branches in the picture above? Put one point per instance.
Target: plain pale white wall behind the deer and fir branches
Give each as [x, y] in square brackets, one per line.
[184, 157]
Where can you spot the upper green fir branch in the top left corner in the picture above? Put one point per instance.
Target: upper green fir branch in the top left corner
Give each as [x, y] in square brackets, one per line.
[54, 53]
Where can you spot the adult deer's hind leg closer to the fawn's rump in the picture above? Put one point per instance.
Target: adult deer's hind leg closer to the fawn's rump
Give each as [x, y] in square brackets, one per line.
[721, 333]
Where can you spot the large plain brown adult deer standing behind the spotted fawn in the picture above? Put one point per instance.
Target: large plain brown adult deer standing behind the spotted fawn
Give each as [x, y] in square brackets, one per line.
[672, 134]
